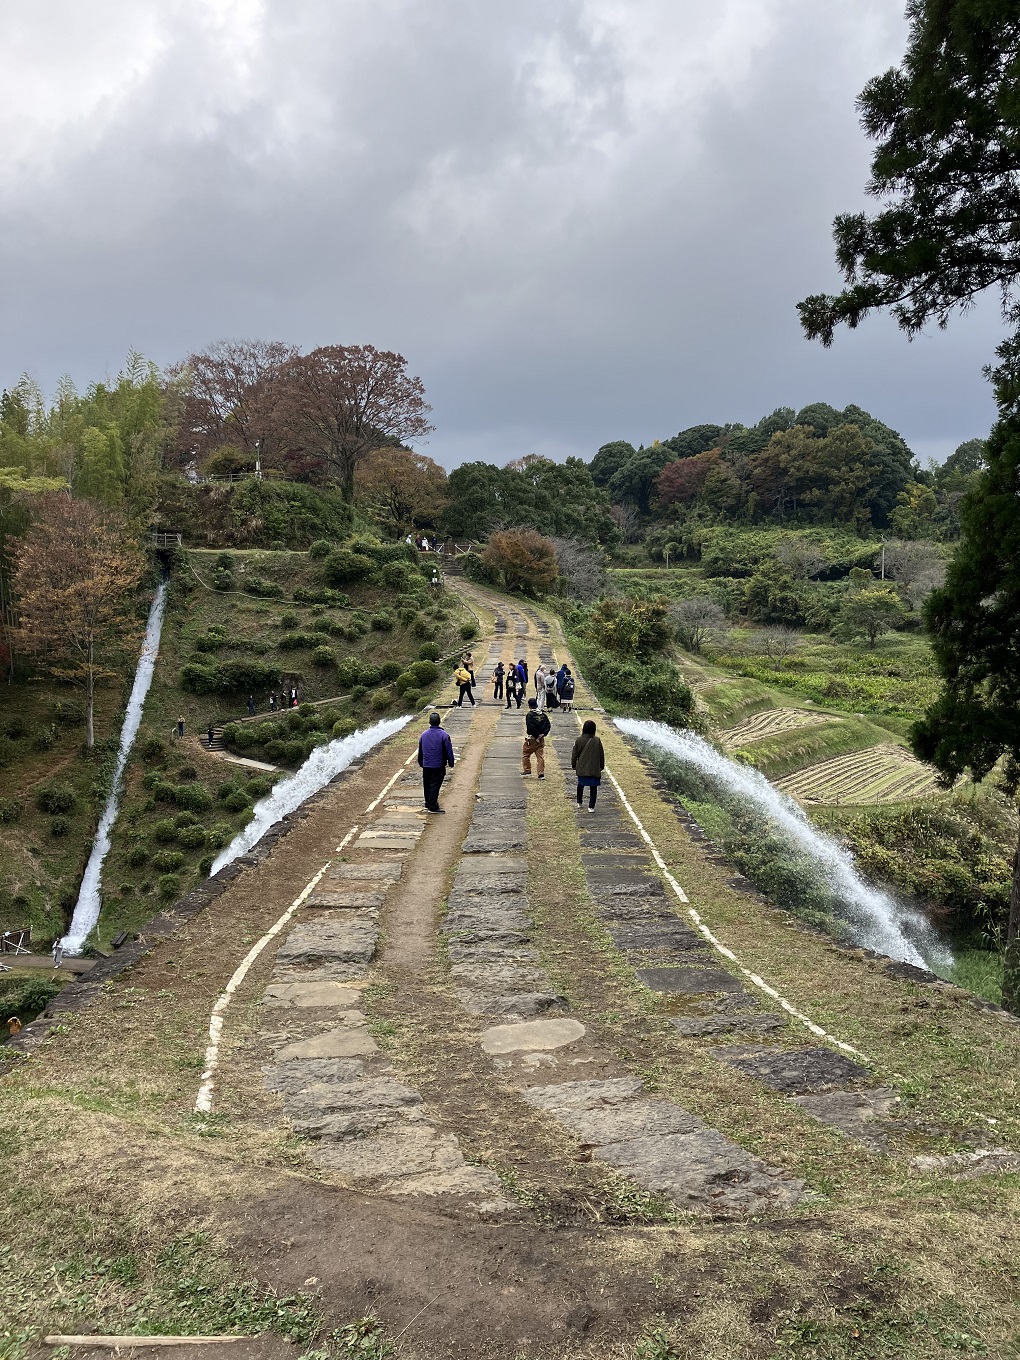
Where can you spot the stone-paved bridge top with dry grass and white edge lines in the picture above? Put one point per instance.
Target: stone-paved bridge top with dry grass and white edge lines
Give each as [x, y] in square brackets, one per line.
[498, 1083]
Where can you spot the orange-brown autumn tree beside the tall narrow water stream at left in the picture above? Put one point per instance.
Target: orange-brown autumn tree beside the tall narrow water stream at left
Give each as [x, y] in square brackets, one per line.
[74, 572]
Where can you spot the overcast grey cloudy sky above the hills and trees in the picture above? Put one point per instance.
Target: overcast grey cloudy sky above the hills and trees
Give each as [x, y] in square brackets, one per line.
[579, 220]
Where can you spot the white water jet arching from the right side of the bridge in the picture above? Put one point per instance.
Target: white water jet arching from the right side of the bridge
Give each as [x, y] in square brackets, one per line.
[878, 920]
